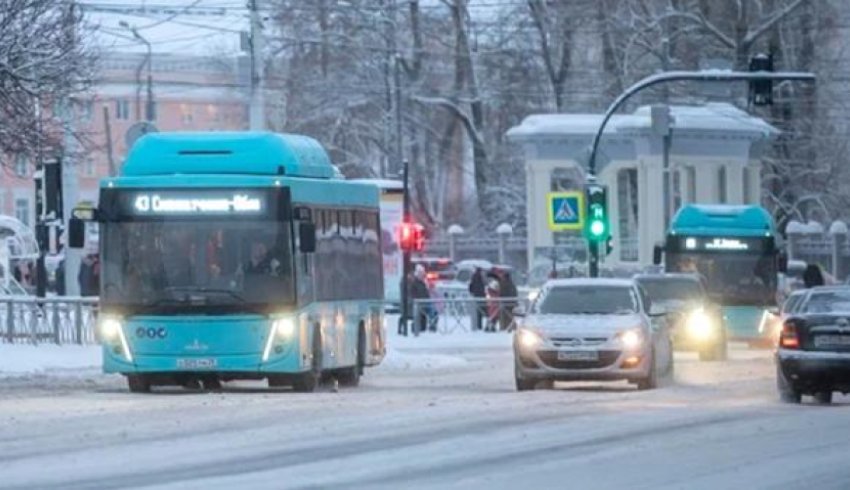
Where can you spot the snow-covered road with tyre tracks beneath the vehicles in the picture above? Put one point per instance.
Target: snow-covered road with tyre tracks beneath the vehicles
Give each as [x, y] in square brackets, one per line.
[441, 413]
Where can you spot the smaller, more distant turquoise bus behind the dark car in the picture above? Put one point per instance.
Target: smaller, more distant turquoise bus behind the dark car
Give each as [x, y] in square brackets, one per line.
[736, 251]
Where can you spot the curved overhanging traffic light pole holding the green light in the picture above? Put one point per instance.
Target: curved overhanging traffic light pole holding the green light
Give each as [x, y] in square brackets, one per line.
[675, 76]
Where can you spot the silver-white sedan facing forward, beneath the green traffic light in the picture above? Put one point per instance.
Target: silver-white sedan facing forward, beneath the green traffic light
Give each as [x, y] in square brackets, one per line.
[591, 329]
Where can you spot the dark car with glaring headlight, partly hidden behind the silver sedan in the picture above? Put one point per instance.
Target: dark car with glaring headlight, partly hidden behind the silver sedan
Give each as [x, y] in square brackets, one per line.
[696, 321]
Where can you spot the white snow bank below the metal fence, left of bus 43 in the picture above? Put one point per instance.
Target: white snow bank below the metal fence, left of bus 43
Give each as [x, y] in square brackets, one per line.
[20, 359]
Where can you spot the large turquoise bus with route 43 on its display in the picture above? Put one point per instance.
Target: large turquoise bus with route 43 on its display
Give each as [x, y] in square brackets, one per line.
[236, 256]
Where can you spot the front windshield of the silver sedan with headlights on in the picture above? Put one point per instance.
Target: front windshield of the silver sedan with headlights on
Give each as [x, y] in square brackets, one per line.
[586, 300]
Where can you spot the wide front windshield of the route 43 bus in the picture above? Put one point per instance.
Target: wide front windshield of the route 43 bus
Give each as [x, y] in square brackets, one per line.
[239, 265]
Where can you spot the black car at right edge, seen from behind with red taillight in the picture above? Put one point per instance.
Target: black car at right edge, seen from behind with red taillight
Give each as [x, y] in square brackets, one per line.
[813, 355]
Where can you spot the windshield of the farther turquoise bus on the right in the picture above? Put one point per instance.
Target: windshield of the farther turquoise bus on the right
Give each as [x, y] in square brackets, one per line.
[732, 278]
